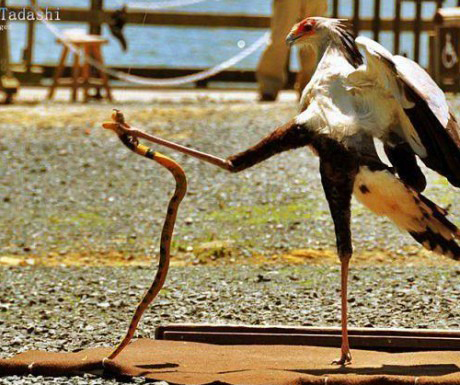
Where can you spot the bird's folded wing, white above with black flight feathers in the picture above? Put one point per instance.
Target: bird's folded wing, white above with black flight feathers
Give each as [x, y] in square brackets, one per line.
[433, 133]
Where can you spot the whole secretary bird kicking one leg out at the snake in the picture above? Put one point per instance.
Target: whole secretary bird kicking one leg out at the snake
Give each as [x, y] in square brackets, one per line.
[346, 104]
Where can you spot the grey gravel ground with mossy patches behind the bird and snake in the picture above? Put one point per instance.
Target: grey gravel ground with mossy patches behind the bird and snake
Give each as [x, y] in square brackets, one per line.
[72, 194]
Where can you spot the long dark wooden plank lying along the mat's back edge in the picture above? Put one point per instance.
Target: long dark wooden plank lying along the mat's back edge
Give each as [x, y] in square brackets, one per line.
[372, 339]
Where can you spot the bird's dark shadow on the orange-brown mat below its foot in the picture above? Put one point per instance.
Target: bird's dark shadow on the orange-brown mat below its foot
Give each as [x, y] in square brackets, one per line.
[415, 370]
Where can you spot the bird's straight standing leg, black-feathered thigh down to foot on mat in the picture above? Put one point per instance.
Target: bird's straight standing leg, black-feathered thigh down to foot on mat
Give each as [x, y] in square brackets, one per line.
[338, 186]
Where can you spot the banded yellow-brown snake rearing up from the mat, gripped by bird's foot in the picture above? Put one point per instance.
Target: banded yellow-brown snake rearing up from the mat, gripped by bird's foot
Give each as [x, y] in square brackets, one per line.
[118, 125]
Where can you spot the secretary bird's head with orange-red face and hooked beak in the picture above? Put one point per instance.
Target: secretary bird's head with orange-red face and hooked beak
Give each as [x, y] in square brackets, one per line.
[312, 31]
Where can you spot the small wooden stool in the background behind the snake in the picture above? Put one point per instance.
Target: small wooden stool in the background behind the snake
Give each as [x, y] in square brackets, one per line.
[81, 74]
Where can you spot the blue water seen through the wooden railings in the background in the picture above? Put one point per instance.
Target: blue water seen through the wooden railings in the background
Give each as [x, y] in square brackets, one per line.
[192, 47]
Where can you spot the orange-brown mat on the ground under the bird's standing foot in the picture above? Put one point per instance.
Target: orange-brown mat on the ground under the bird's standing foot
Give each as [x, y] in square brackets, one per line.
[190, 363]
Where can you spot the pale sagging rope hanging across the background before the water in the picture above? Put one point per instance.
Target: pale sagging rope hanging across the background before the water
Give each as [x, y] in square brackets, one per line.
[151, 81]
